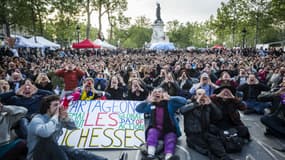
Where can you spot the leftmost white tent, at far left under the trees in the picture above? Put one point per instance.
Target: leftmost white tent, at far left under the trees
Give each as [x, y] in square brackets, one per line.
[21, 41]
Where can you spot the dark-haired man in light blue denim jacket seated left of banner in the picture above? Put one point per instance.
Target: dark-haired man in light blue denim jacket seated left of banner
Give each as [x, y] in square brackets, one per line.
[45, 129]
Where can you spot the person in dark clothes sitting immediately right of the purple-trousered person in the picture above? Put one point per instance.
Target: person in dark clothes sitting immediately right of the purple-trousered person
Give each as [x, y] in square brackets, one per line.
[199, 116]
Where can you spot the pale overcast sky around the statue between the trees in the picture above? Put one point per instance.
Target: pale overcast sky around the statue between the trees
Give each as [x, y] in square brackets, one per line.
[181, 10]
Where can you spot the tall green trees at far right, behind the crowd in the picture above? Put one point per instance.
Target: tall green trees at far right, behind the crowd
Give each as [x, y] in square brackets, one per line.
[257, 16]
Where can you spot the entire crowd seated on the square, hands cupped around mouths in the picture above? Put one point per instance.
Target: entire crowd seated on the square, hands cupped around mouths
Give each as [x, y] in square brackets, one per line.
[209, 90]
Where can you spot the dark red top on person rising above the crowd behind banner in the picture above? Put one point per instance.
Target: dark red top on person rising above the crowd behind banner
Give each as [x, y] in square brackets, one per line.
[70, 78]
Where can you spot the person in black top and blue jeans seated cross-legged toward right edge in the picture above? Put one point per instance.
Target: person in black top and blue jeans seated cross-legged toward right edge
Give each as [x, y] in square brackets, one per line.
[251, 90]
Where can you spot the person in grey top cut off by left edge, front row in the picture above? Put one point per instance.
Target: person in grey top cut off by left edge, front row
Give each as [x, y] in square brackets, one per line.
[11, 147]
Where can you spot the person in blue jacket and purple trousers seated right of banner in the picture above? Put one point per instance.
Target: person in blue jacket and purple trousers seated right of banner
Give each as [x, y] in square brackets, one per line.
[163, 124]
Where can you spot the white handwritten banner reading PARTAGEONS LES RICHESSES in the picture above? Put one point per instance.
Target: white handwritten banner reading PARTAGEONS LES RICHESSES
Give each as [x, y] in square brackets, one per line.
[104, 124]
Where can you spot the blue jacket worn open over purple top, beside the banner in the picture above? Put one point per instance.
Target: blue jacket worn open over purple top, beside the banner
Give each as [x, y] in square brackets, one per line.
[174, 103]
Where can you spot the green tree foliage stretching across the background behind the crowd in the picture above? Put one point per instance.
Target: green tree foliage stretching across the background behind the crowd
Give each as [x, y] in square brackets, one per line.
[264, 21]
